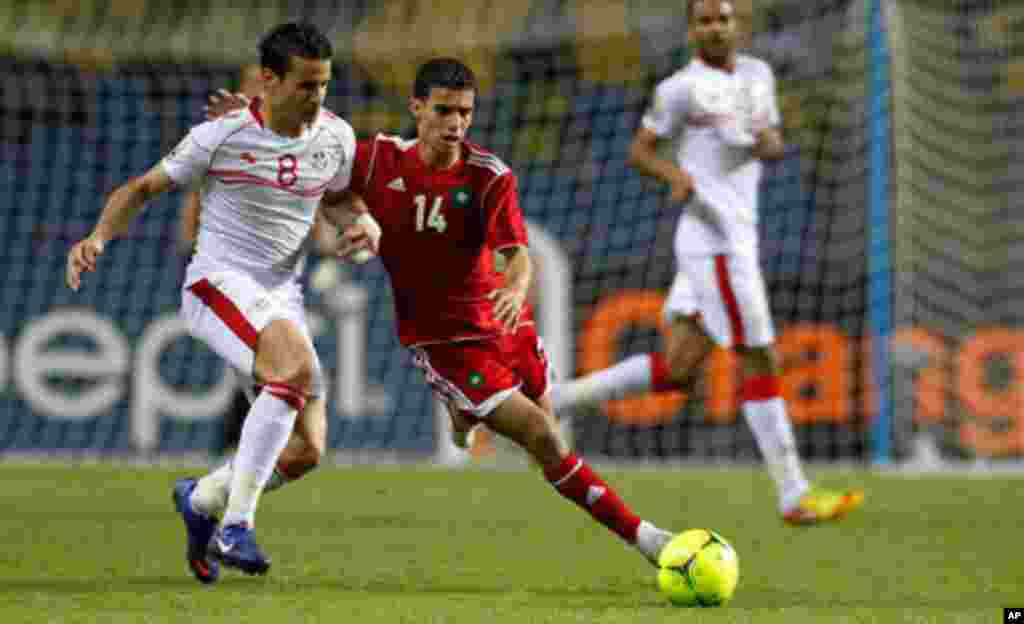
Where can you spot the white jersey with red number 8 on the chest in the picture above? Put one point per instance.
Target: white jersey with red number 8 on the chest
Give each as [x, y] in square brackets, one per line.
[263, 190]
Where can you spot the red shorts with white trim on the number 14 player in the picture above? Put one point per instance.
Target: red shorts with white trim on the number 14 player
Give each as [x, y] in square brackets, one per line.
[480, 376]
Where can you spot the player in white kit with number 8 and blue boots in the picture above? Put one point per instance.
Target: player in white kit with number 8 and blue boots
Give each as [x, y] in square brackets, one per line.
[266, 170]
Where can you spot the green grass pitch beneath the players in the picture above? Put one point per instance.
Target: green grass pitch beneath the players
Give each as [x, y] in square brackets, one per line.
[417, 545]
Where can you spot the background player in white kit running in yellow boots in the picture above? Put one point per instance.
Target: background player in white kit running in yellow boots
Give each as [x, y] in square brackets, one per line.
[723, 106]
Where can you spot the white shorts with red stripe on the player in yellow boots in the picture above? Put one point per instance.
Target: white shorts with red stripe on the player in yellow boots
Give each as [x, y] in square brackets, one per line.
[729, 295]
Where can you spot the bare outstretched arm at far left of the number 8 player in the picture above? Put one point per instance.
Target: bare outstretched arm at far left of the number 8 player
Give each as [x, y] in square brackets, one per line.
[122, 207]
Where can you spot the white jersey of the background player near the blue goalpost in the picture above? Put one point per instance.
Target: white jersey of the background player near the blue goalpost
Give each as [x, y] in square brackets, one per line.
[712, 111]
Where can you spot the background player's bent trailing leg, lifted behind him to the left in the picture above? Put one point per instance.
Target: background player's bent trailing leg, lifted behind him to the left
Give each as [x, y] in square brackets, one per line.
[687, 348]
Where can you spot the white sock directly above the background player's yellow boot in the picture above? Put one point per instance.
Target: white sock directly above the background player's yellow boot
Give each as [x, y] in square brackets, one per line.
[774, 433]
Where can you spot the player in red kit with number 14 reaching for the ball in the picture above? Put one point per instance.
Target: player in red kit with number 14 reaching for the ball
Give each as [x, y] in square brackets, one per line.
[446, 206]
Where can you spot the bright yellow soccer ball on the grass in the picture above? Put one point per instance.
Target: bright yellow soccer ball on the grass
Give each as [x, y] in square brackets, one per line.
[699, 568]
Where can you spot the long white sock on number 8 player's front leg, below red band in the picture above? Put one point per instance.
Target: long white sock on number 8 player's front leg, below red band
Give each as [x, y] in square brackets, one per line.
[265, 436]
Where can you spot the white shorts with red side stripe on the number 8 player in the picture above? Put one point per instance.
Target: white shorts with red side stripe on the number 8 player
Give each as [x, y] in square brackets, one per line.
[228, 310]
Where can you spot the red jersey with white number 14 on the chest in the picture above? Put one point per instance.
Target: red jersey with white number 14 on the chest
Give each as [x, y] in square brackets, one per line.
[440, 234]
